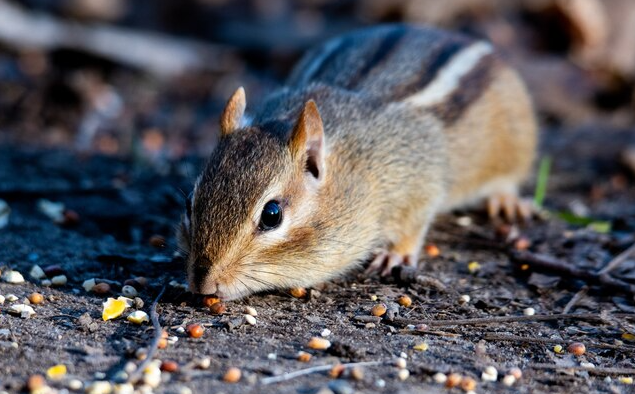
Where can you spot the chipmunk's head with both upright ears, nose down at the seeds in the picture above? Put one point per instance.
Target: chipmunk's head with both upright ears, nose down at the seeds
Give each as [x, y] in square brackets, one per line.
[247, 224]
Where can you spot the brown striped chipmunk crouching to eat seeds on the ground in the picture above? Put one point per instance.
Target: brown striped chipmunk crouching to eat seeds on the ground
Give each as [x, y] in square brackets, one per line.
[374, 134]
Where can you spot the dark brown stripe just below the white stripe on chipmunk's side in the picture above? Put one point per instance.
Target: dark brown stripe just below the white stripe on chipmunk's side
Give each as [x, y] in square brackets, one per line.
[471, 87]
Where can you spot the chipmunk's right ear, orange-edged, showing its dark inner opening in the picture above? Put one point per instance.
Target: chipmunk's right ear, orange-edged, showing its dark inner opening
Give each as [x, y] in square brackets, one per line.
[307, 140]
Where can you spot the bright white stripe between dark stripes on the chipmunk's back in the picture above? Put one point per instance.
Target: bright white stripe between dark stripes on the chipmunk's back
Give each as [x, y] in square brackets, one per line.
[447, 80]
